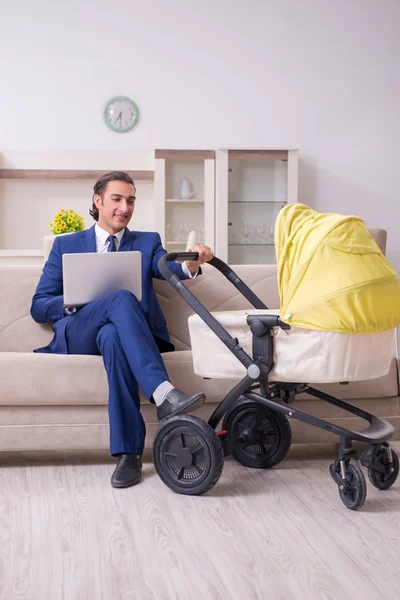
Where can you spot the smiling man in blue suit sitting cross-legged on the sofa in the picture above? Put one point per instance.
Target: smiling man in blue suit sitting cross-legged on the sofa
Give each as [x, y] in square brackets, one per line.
[130, 335]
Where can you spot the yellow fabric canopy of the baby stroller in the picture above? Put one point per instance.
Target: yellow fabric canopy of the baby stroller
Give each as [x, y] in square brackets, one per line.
[332, 276]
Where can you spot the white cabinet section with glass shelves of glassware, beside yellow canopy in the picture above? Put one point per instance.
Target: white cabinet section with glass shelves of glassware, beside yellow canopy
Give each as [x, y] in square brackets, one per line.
[251, 188]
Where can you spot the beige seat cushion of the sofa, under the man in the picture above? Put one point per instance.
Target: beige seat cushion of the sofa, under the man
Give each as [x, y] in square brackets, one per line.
[46, 379]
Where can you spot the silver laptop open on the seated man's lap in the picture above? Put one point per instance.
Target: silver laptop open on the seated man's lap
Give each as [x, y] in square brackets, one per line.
[93, 275]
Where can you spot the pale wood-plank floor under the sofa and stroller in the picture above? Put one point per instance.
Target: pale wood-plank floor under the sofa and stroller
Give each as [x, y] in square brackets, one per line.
[283, 534]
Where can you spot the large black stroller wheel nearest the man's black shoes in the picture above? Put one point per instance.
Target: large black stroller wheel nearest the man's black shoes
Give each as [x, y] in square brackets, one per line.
[188, 455]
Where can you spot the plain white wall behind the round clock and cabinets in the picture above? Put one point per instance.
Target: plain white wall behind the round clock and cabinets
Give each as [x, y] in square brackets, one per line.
[318, 75]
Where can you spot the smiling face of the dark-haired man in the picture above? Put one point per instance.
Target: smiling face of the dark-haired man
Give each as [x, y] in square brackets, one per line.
[116, 206]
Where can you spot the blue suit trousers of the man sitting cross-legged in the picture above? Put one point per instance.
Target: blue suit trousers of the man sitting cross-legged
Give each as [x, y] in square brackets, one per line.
[116, 328]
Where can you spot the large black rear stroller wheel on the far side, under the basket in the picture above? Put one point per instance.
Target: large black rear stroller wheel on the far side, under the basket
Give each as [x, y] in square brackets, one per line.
[260, 438]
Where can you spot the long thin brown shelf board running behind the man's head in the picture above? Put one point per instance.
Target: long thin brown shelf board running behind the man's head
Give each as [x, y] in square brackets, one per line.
[67, 174]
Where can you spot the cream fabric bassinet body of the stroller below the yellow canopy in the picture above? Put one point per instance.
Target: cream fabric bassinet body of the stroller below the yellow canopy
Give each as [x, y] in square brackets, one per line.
[299, 355]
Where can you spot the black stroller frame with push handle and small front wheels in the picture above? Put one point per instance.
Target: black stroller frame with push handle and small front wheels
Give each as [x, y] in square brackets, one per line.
[378, 457]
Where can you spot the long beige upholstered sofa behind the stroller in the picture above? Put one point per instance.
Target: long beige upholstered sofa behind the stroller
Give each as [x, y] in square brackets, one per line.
[60, 402]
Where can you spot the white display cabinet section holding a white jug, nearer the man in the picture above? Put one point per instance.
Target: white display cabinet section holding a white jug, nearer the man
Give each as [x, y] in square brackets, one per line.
[176, 217]
